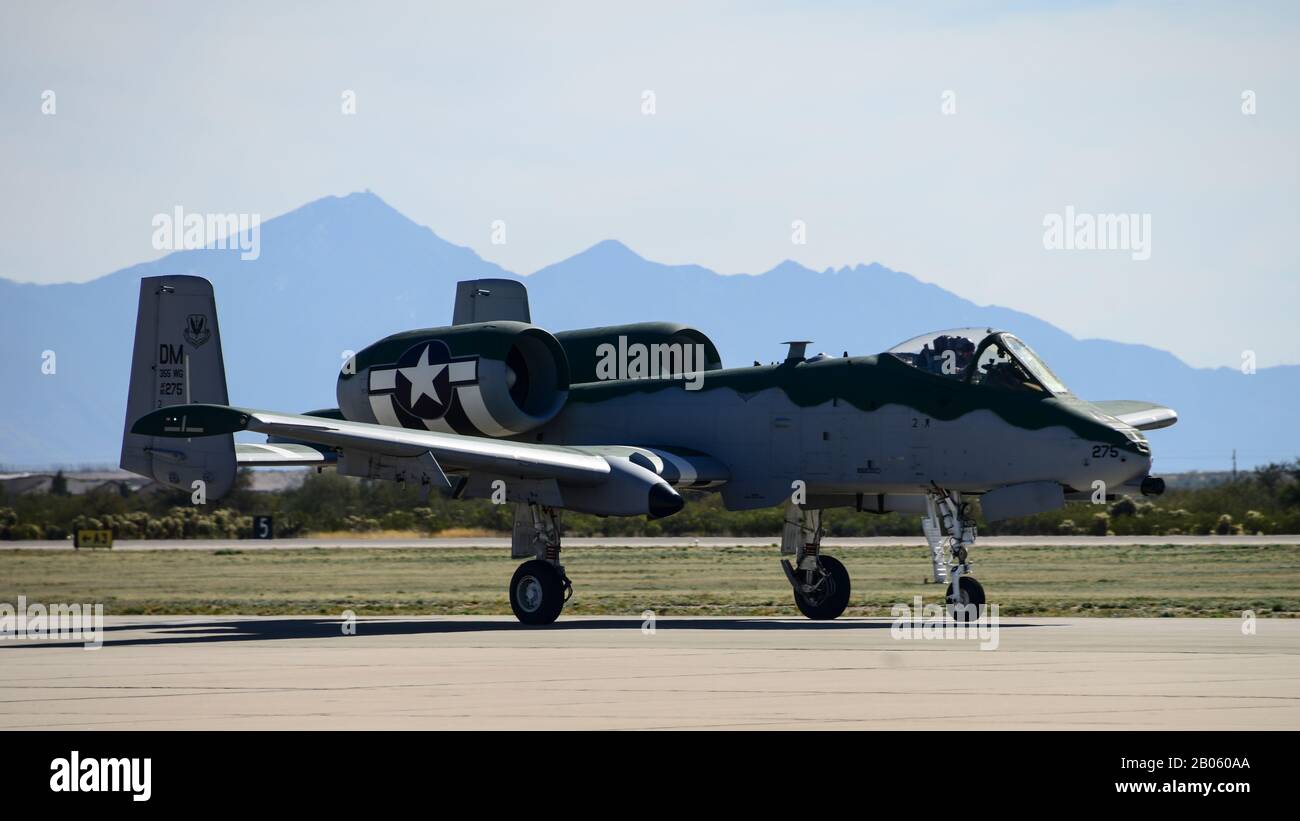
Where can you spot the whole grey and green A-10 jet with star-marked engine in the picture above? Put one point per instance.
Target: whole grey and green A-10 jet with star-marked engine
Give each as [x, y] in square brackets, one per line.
[617, 422]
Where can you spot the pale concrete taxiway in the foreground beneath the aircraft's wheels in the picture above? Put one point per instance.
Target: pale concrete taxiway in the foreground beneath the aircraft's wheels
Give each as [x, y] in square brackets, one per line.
[691, 674]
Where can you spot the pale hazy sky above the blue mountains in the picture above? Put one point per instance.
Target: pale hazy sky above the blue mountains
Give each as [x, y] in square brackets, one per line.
[764, 114]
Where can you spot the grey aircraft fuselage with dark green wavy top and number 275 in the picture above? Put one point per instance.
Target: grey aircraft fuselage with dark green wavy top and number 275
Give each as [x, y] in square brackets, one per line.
[856, 425]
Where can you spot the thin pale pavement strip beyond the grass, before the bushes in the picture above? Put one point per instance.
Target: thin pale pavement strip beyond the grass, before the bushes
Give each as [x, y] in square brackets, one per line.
[504, 544]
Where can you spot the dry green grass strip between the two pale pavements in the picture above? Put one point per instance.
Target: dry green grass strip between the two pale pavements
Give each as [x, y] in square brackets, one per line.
[1201, 581]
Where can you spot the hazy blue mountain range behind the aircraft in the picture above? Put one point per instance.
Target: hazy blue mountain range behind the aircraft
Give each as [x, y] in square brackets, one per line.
[340, 273]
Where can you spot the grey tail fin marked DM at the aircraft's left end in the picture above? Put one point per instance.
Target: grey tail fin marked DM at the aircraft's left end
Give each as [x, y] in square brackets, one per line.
[177, 362]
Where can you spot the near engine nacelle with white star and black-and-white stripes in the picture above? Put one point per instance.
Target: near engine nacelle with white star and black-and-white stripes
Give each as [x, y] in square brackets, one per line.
[491, 379]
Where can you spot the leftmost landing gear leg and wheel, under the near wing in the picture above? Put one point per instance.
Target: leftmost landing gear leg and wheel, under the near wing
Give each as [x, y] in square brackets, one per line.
[540, 588]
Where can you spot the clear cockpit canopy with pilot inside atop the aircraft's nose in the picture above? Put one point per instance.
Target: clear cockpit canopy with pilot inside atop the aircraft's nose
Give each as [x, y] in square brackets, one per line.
[981, 357]
